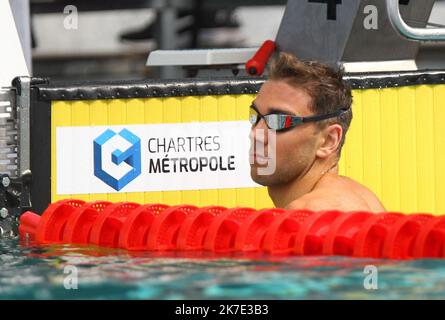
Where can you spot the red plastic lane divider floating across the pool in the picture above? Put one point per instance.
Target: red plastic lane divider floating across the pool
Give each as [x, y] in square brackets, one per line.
[132, 226]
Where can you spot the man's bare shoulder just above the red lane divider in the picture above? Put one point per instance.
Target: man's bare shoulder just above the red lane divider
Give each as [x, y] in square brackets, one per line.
[339, 193]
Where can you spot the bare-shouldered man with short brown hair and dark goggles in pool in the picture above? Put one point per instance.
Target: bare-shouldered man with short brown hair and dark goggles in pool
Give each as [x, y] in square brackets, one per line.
[307, 106]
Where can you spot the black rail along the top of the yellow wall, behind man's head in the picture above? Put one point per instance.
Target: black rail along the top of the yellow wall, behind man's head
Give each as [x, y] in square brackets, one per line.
[198, 87]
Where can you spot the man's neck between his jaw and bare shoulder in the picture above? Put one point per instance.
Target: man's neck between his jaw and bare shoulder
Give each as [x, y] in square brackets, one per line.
[284, 194]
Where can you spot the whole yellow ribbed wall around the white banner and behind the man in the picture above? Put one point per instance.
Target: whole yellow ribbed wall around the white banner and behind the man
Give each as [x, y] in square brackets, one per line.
[395, 145]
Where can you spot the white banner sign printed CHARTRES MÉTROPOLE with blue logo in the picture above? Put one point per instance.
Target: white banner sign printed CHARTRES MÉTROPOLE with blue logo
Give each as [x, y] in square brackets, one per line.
[154, 157]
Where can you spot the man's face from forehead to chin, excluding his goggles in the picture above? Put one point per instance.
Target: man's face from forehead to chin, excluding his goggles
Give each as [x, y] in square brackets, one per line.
[295, 149]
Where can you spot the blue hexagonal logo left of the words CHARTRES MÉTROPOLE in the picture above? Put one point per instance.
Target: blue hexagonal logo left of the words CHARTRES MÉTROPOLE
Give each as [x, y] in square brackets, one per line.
[131, 156]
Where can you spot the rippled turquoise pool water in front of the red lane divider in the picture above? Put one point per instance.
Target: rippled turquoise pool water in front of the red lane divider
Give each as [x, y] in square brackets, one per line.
[37, 272]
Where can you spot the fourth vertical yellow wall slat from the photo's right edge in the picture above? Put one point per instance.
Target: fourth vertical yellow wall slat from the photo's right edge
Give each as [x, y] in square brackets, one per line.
[390, 152]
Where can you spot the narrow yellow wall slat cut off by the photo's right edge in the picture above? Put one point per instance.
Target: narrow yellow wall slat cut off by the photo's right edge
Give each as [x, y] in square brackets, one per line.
[439, 146]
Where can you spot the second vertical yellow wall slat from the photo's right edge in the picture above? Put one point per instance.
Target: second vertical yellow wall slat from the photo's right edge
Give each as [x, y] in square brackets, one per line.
[425, 149]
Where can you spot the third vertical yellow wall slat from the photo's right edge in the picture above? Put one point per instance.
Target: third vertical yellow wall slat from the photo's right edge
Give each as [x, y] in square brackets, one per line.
[407, 149]
